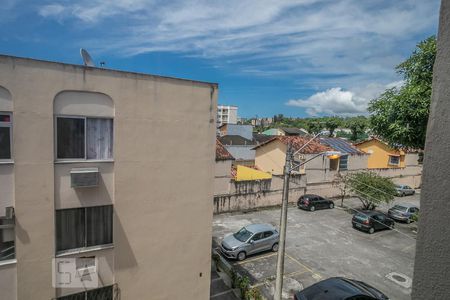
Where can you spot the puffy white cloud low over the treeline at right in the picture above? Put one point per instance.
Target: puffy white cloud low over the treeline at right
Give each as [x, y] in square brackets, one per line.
[336, 101]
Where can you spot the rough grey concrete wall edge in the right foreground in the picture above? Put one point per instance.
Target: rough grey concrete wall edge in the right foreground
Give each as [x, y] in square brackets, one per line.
[432, 261]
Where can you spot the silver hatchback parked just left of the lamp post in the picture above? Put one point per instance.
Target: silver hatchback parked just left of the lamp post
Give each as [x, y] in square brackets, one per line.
[249, 240]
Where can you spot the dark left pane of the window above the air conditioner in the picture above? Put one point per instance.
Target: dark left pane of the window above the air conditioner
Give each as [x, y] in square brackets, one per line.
[70, 138]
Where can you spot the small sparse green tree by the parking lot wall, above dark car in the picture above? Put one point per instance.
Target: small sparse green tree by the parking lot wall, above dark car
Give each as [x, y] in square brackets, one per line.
[371, 189]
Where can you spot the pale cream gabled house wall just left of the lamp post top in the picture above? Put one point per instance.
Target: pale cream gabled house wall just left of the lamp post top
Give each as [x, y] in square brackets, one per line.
[271, 157]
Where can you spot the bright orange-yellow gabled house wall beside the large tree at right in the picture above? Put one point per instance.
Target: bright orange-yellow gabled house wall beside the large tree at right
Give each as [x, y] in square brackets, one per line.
[379, 158]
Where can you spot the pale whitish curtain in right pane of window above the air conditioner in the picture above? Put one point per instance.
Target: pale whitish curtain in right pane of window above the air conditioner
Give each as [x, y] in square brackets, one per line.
[99, 138]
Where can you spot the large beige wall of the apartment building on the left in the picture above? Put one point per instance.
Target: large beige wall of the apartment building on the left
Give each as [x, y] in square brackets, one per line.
[146, 190]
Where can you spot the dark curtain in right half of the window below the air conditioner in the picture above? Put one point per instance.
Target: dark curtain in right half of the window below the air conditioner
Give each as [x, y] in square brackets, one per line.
[99, 225]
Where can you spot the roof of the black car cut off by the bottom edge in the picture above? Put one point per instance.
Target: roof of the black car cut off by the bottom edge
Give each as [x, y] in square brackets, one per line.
[335, 288]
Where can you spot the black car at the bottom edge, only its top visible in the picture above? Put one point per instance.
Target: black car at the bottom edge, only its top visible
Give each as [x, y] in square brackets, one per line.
[339, 288]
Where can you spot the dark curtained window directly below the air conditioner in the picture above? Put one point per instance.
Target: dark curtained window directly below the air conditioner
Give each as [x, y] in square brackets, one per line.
[83, 227]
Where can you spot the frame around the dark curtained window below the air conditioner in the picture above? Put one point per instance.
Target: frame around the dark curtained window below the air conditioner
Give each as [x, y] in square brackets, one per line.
[85, 232]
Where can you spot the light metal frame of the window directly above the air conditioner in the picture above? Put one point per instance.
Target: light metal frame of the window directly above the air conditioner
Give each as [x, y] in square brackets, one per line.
[85, 159]
